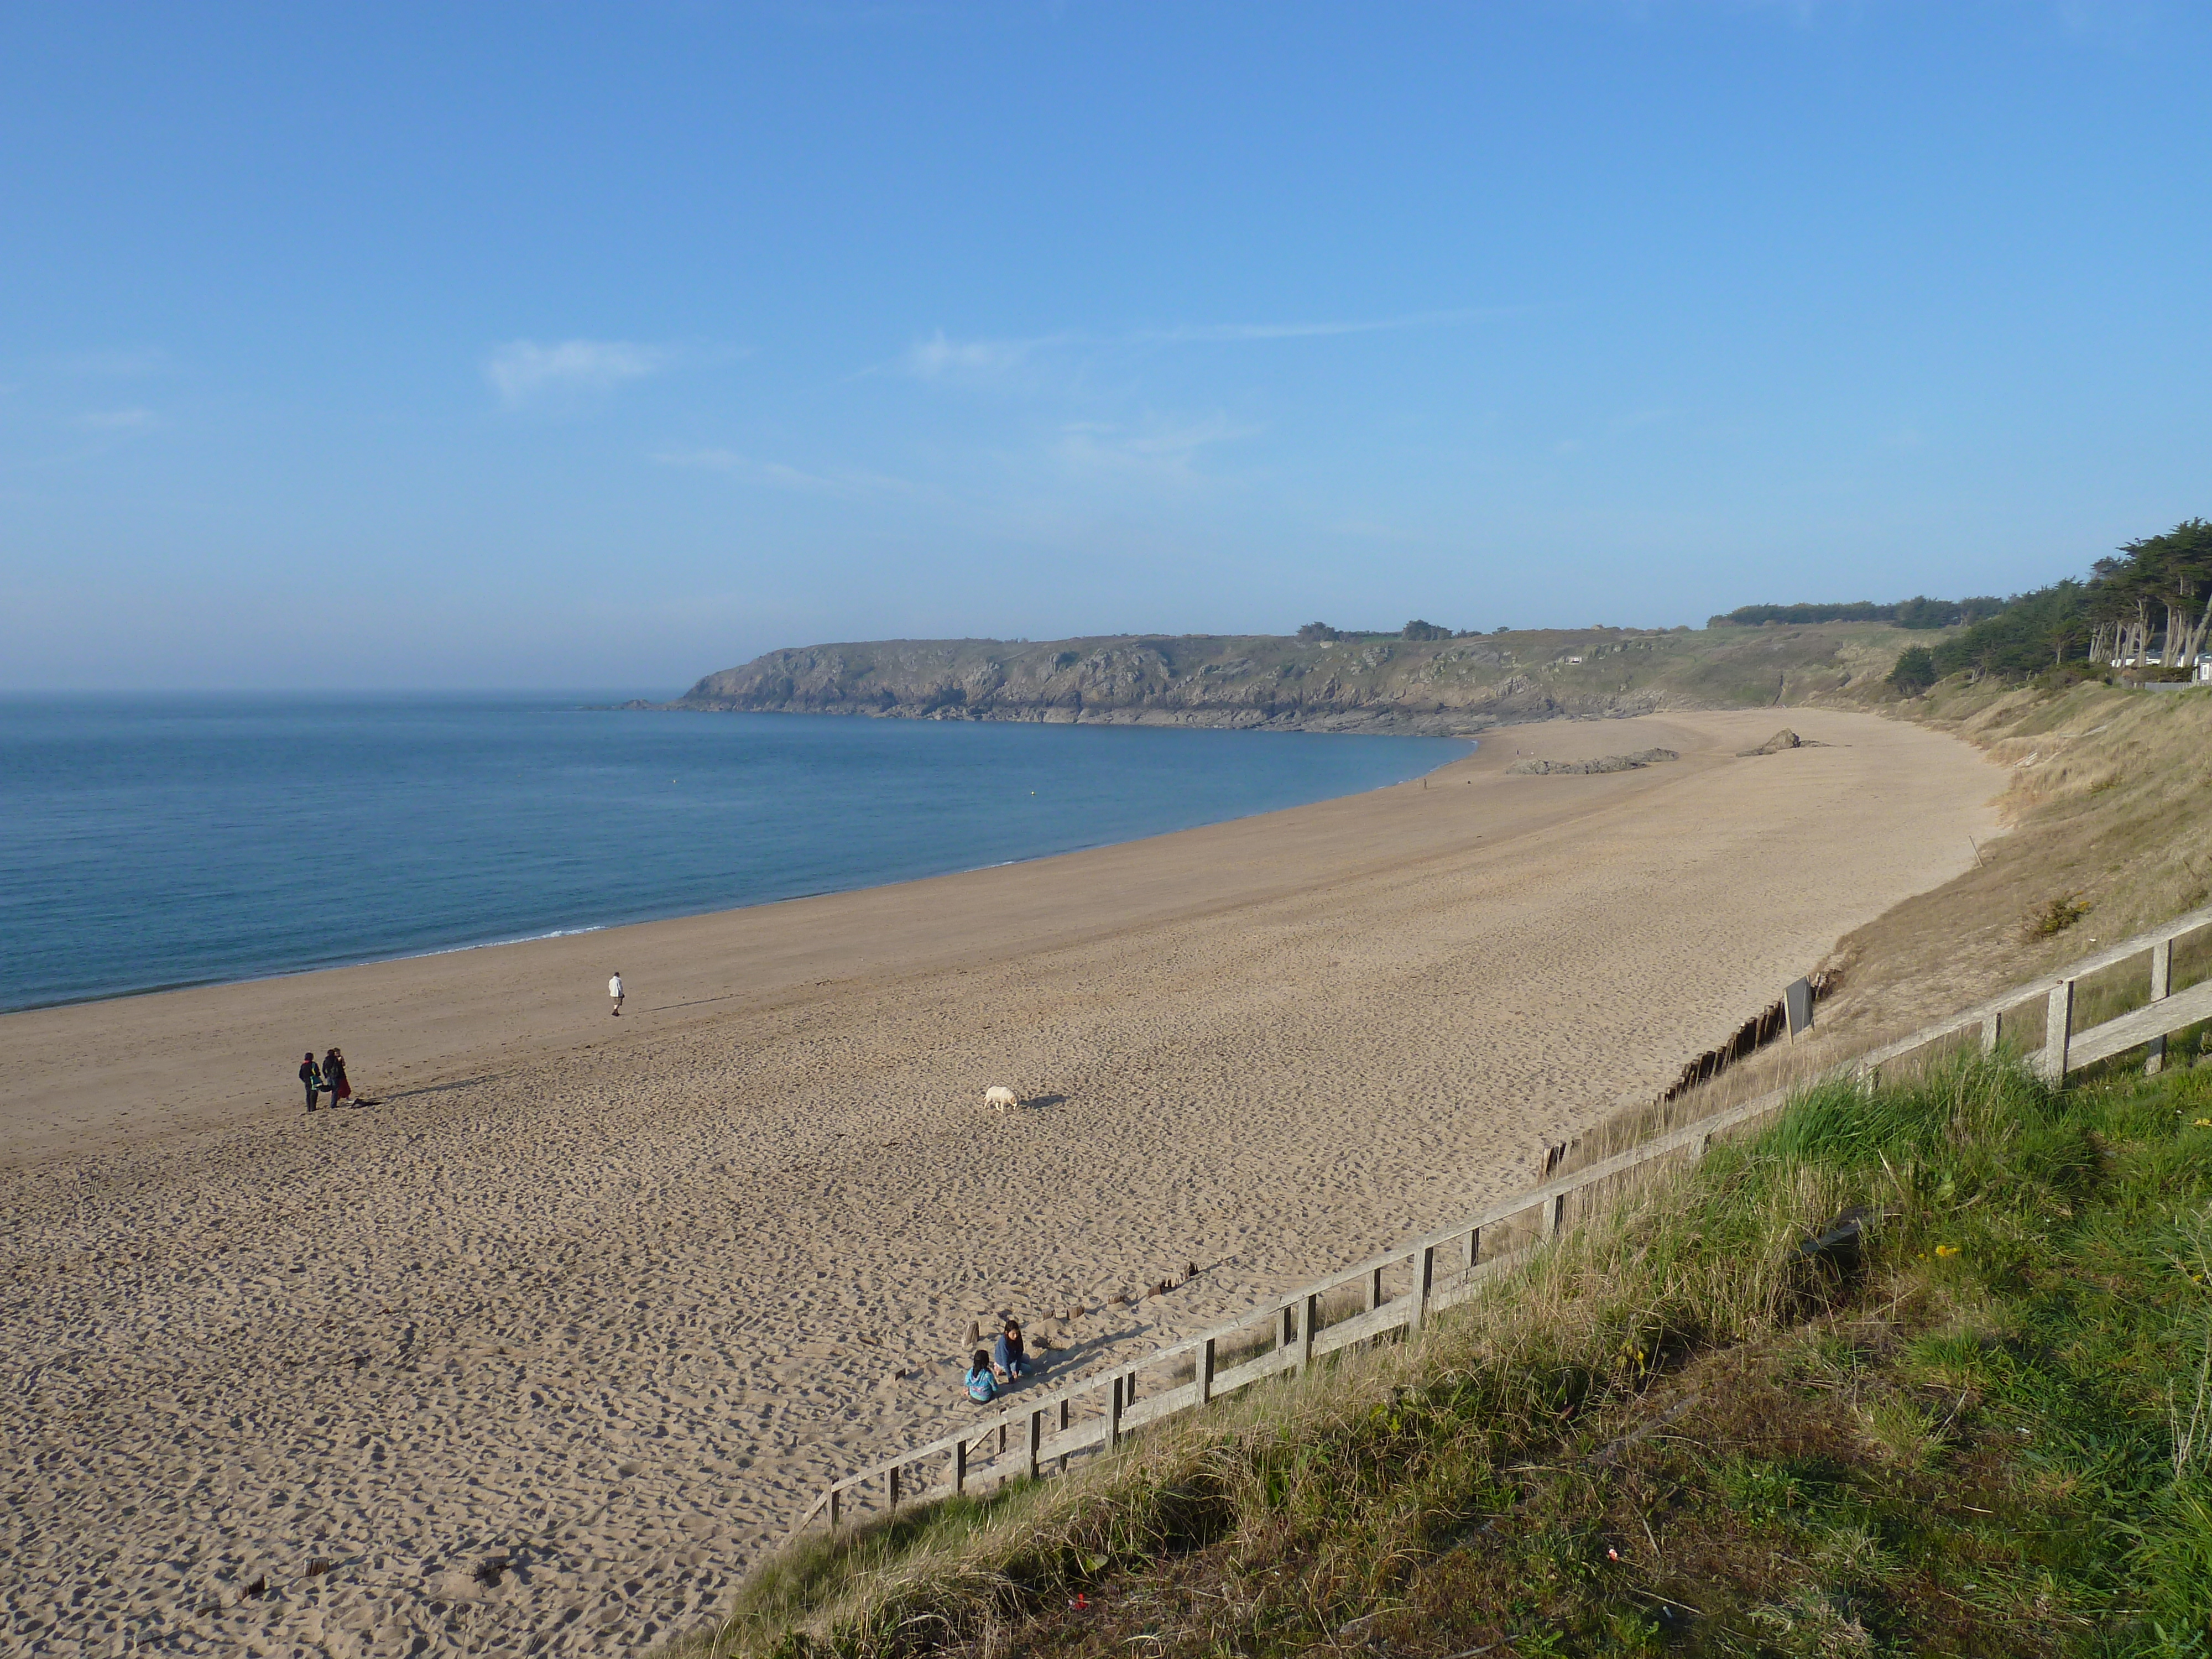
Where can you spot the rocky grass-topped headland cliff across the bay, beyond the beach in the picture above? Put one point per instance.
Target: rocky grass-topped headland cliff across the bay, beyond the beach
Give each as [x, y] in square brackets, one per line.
[1348, 685]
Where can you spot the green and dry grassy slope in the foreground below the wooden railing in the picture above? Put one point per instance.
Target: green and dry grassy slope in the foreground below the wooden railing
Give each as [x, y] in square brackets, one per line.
[1990, 1432]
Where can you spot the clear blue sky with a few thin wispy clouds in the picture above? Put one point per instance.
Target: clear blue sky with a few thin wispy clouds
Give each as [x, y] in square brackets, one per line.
[609, 346]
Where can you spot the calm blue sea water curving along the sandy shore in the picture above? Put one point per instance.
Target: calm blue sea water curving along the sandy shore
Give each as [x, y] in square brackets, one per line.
[182, 842]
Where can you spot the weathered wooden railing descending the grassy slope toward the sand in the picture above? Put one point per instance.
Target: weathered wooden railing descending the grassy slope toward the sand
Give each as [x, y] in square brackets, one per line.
[1043, 1432]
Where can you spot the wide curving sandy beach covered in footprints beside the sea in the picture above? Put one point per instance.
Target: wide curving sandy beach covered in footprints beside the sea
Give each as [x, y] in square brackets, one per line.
[607, 1302]
